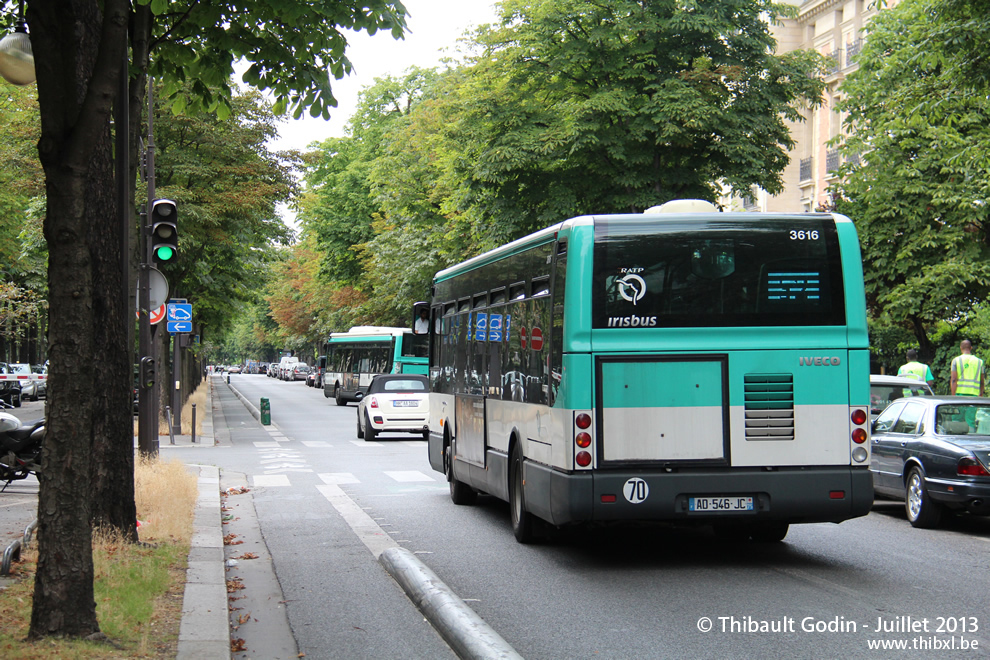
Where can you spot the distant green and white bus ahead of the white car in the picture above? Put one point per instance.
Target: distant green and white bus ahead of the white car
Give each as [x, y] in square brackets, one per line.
[354, 357]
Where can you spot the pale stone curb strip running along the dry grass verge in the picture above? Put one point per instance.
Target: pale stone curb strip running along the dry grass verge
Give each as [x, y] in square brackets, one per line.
[204, 632]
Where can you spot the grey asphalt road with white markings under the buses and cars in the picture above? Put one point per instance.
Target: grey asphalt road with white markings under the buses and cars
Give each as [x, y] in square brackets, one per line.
[827, 591]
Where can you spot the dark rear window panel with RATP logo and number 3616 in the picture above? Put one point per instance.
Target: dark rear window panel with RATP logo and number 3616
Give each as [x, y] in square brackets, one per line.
[680, 272]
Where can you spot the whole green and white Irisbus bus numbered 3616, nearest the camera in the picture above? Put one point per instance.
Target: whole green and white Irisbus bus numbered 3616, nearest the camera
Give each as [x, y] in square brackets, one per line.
[681, 365]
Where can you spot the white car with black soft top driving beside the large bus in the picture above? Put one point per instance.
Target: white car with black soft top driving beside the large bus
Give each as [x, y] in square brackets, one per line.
[395, 403]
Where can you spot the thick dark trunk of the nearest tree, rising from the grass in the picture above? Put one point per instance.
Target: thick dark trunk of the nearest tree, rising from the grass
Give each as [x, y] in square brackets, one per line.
[77, 56]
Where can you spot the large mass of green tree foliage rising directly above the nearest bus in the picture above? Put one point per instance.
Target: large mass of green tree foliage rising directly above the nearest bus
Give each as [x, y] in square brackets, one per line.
[564, 108]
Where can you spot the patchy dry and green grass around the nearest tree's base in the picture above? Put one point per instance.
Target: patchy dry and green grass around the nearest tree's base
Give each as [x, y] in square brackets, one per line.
[138, 588]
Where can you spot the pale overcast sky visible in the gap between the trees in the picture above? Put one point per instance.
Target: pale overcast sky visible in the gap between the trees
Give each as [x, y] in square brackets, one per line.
[433, 28]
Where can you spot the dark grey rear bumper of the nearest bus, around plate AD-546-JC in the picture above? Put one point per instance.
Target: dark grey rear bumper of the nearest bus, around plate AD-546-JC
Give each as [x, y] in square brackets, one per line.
[793, 495]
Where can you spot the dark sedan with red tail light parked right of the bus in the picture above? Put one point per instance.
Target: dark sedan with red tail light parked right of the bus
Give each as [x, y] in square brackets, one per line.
[933, 452]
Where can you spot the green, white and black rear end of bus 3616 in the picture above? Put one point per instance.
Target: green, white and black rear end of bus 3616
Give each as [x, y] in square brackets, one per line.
[723, 361]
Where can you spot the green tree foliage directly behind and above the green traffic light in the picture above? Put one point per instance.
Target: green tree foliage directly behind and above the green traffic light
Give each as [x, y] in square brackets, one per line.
[227, 185]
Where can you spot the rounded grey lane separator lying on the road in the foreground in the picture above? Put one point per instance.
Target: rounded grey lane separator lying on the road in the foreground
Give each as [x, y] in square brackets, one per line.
[460, 626]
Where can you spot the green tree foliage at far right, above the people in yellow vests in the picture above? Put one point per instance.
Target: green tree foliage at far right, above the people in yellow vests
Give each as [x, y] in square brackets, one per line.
[920, 122]
